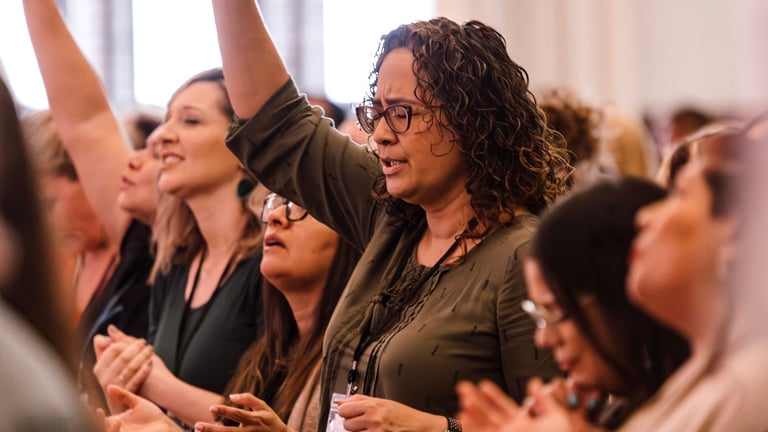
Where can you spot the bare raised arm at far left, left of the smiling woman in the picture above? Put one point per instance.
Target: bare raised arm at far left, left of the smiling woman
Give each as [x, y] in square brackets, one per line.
[88, 128]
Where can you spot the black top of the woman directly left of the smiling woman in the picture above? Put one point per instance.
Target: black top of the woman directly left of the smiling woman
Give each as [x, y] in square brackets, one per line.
[124, 302]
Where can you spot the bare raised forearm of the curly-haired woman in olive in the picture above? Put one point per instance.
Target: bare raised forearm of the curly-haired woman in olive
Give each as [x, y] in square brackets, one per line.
[253, 68]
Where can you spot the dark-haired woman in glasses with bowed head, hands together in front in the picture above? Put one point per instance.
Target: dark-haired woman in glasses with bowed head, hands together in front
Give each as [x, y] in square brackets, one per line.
[615, 355]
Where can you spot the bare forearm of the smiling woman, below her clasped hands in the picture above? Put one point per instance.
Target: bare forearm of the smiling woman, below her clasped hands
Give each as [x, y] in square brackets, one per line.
[188, 403]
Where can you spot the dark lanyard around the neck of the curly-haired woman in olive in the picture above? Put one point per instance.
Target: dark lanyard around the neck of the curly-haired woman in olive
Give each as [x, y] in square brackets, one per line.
[382, 298]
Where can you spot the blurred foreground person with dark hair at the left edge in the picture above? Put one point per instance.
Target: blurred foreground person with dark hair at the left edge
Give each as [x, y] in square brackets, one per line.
[36, 350]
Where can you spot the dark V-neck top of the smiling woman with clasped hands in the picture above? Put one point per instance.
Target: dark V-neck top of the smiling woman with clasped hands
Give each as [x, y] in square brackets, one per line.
[231, 321]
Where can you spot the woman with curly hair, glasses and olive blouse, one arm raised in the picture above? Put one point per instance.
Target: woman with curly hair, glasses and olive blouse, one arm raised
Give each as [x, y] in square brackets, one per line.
[443, 208]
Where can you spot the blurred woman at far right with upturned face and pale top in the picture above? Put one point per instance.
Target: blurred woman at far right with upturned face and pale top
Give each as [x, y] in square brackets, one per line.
[681, 272]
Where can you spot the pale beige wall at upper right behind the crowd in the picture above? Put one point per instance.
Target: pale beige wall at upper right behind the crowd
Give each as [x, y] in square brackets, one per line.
[636, 53]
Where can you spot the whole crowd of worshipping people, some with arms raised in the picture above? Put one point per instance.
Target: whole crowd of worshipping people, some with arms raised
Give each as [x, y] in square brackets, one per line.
[469, 256]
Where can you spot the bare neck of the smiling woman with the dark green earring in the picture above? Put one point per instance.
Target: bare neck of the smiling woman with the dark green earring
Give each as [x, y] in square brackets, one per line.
[221, 219]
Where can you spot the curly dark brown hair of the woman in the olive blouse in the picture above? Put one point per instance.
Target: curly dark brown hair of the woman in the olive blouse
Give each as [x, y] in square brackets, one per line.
[511, 155]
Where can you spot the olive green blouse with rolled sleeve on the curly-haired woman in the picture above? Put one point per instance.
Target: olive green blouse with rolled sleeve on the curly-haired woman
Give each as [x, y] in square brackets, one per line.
[463, 323]
